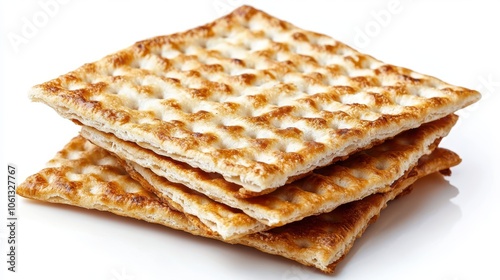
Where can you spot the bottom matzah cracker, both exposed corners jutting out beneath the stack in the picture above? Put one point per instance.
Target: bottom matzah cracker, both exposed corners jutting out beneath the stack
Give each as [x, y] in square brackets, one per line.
[87, 176]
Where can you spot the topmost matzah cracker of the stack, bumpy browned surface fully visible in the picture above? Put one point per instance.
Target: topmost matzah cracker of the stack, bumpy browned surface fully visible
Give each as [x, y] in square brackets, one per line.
[251, 97]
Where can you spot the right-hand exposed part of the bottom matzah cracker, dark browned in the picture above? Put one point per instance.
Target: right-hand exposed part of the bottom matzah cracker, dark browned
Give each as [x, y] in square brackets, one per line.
[322, 241]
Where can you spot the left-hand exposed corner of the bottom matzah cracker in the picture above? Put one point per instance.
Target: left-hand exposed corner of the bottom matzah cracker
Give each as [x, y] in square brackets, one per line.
[85, 175]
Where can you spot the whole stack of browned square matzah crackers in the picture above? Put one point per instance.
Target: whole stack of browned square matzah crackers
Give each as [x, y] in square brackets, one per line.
[249, 130]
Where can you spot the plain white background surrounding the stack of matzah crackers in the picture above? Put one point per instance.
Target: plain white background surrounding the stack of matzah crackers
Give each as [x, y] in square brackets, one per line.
[447, 229]
